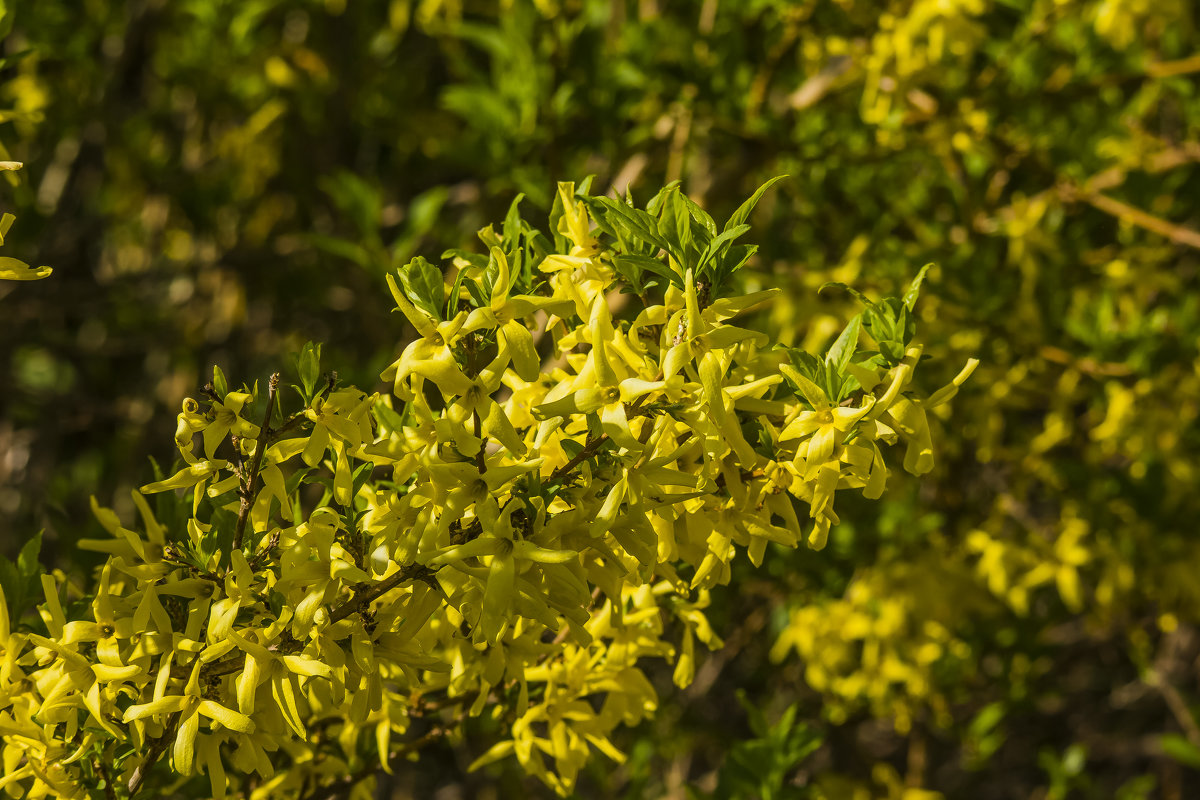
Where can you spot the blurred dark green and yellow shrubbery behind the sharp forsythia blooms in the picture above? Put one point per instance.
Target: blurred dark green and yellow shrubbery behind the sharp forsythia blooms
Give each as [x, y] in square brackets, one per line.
[219, 182]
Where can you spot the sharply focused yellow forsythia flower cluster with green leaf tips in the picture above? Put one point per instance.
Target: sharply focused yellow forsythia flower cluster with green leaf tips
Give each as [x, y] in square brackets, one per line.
[579, 442]
